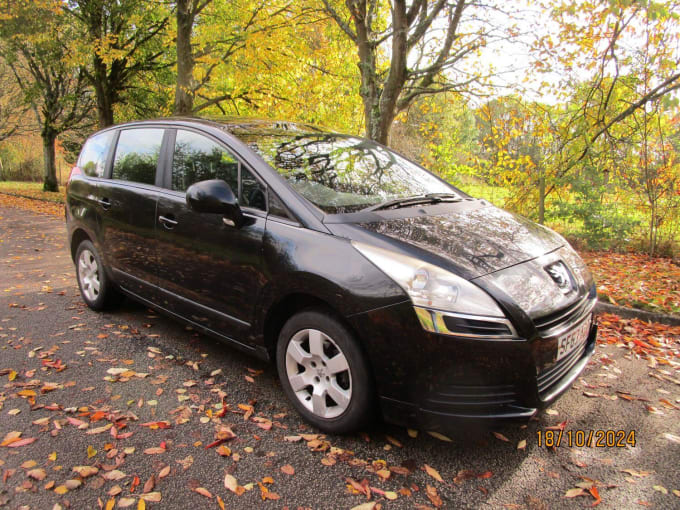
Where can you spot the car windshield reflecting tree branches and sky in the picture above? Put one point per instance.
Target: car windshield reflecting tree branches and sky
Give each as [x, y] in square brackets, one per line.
[339, 173]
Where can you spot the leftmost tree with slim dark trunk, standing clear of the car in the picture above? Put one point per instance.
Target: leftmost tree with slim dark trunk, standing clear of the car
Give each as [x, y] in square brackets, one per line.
[34, 42]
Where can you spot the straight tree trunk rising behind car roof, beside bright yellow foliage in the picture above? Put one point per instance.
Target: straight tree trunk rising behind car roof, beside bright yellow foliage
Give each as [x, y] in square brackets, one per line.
[184, 96]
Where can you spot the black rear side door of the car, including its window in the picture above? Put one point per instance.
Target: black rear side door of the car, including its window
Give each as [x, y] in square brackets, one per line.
[128, 209]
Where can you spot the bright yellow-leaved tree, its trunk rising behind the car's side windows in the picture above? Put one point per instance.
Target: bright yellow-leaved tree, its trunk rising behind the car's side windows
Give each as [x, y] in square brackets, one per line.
[211, 34]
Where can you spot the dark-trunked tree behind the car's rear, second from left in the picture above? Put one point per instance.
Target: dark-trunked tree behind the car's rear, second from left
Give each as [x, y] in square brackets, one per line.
[122, 40]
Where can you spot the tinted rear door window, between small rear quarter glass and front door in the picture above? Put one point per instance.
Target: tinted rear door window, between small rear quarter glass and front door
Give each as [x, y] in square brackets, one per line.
[137, 155]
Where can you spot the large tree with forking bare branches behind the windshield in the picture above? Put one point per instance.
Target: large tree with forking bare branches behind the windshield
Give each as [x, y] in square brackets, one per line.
[407, 51]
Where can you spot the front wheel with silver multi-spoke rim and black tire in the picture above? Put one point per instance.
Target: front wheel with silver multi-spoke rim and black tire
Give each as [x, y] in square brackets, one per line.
[324, 372]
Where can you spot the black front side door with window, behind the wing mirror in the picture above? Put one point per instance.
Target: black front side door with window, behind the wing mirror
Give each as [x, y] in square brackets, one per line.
[209, 271]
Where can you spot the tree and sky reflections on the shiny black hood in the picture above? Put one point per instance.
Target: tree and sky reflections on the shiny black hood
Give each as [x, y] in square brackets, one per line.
[478, 240]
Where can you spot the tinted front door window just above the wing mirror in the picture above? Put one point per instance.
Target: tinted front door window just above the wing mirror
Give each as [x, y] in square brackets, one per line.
[198, 158]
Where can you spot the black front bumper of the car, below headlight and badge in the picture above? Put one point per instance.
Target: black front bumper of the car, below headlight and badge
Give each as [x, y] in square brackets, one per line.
[433, 381]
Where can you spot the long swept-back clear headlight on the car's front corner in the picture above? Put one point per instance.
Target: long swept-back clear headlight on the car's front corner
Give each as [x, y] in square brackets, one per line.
[444, 302]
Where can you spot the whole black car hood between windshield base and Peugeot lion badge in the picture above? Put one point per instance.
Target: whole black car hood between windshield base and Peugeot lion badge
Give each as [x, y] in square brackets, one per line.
[474, 237]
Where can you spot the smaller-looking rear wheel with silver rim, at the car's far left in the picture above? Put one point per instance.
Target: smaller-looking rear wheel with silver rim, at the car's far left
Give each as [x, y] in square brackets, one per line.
[96, 288]
